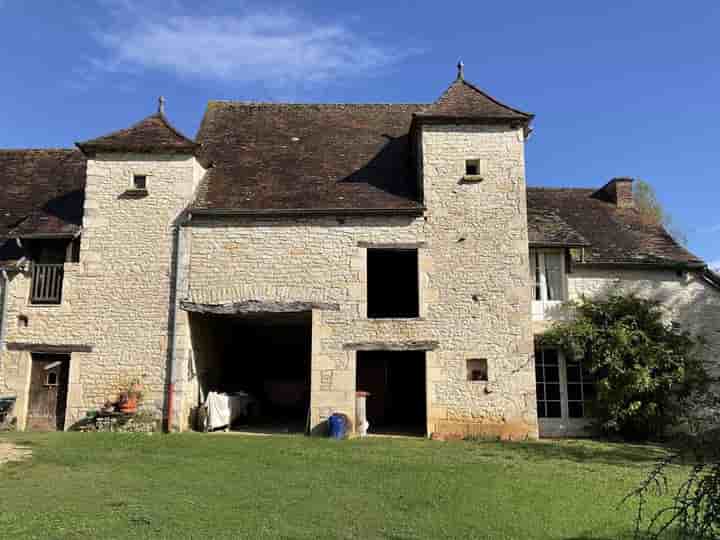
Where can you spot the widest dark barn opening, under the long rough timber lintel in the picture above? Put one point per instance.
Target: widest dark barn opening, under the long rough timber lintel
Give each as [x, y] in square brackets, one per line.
[261, 361]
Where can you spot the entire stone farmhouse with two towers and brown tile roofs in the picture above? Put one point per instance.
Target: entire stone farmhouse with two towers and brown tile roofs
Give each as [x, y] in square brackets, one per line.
[302, 253]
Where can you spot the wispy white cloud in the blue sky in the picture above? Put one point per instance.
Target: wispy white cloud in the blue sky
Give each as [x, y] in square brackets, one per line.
[277, 48]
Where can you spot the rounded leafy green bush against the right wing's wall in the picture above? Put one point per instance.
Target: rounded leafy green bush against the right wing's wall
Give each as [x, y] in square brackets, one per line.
[647, 370]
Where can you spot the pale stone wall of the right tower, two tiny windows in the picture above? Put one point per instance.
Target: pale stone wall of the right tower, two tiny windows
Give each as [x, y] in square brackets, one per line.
[480, 278]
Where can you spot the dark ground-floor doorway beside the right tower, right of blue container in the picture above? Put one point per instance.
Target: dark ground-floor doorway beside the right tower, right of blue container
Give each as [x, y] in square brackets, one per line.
[396, 383]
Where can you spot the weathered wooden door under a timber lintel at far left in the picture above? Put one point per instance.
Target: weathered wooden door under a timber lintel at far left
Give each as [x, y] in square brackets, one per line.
[48, 392]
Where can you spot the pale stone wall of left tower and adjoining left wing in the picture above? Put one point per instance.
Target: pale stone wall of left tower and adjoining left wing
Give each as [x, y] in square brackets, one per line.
[116, 299]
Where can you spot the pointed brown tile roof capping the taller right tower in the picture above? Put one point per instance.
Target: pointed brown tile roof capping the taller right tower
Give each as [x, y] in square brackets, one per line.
[465, 100]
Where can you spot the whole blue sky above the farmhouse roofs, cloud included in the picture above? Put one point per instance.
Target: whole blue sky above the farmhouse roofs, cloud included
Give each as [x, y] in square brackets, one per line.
[625, 88]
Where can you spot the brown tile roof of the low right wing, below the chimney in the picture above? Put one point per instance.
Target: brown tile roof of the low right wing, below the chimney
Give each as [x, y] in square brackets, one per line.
[615, 235]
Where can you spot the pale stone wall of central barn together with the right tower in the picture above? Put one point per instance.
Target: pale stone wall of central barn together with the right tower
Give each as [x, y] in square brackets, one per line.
[474, 280]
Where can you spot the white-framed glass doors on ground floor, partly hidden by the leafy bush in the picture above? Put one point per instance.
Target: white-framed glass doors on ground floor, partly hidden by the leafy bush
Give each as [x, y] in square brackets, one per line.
[564, 387]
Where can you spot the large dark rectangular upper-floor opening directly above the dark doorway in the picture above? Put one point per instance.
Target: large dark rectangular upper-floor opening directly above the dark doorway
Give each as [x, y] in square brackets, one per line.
[392, 283]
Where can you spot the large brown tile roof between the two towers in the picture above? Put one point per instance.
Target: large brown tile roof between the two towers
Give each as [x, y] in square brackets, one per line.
[281, 157]
